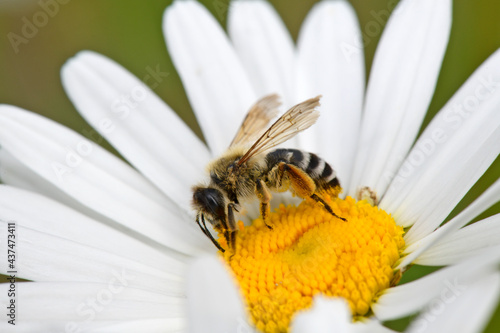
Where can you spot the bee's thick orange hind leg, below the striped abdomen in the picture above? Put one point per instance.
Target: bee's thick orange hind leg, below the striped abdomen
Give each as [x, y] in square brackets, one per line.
[304, 185]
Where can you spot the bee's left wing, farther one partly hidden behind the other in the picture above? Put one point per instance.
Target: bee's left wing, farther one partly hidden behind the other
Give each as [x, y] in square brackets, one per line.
[257, 120]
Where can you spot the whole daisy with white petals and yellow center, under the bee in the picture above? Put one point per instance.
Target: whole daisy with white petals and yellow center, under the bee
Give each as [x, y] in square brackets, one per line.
[109, 245]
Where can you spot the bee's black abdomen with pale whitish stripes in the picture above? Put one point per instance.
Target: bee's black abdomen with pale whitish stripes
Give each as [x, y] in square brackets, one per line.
[318, 169]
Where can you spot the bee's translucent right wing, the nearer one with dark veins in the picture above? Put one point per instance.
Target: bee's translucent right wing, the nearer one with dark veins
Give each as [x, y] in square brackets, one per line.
[295, 120]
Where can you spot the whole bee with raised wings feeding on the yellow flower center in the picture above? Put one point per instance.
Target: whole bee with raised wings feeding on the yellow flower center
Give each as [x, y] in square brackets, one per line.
[249, 168]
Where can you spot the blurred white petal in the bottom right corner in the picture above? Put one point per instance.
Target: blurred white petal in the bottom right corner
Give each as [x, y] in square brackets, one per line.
[469, 312]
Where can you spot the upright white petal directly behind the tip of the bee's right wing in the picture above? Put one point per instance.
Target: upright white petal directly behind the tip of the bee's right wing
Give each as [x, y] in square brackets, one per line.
[331, 63]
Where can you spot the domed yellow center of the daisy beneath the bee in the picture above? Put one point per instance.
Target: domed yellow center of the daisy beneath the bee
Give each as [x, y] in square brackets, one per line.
[310, 252]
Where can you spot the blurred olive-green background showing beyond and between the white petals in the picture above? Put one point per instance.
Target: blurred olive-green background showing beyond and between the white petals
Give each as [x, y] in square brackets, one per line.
[129, 32]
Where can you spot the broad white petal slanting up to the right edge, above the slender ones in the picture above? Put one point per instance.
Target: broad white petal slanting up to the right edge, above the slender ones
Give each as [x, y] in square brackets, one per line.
[452, 153]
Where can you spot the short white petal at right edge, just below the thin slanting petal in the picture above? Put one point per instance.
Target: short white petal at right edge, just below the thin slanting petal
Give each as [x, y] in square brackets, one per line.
[463, 244]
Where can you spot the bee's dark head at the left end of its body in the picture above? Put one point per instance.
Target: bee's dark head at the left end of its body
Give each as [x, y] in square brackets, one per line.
[209, 201]
